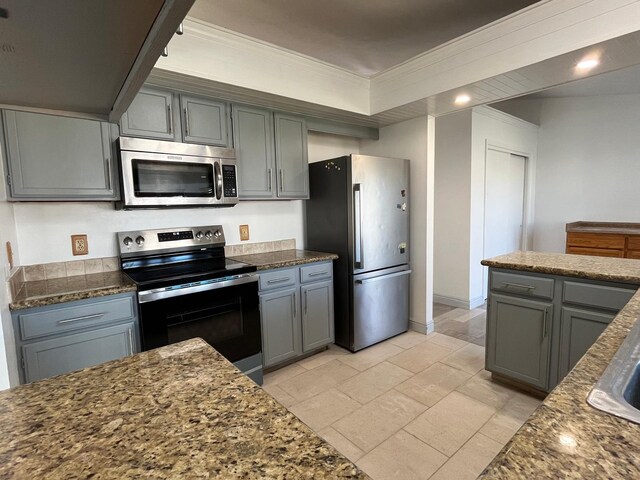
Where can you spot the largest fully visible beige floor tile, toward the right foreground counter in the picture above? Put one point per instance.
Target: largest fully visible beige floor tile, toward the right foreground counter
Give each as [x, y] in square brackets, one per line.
[451, 422]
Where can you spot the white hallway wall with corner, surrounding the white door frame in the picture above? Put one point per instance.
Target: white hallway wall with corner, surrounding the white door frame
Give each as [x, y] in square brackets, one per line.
[461, 142]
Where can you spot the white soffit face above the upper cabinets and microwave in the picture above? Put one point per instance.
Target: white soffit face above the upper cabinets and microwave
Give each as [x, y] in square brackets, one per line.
[219, 55]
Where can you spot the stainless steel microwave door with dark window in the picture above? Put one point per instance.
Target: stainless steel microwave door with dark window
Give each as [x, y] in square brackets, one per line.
[156, 179]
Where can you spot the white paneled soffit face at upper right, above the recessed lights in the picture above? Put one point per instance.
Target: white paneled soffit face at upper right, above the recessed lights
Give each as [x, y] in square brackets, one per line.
[533, 35]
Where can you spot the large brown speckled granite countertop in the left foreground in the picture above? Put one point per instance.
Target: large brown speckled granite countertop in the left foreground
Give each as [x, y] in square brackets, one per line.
[181, 411]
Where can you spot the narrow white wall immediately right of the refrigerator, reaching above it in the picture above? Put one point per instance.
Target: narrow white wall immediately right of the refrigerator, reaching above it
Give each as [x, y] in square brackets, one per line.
[410, 139]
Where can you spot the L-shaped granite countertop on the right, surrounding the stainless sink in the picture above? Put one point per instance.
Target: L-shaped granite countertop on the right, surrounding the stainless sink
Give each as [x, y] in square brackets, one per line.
[566, 437]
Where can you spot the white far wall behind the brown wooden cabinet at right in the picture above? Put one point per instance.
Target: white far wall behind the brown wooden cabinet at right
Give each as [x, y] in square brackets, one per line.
[588, 166]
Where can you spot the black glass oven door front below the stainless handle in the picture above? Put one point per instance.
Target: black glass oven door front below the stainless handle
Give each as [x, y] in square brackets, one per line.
[227, 318]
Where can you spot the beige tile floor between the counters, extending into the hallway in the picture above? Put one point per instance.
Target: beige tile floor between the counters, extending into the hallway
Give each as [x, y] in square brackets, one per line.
[412, 407]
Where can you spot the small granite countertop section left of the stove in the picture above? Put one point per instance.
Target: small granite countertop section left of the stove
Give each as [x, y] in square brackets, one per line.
[39, 293]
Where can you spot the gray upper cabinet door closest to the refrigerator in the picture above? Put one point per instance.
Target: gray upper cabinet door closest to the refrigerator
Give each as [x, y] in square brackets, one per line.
[291, 156]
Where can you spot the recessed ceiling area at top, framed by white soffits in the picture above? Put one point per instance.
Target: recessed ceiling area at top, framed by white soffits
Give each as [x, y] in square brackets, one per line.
[361, 36]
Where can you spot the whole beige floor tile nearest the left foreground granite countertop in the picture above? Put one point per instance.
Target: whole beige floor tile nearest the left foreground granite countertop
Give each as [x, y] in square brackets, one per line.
[325, 408]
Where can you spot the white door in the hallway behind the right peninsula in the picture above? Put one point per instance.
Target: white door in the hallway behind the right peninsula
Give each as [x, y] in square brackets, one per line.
[504, 205]
